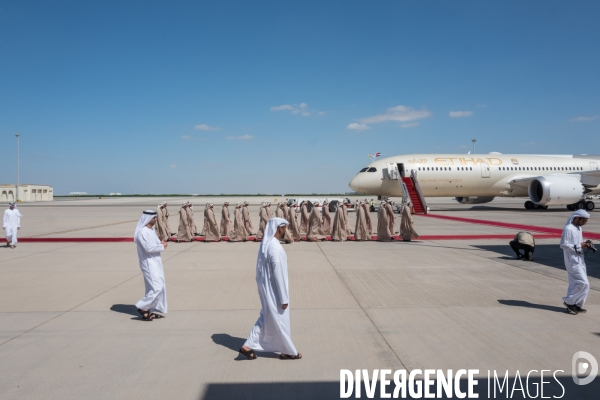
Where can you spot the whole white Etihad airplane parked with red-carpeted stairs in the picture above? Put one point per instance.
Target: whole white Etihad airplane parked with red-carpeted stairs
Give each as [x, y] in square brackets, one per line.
[547, 180]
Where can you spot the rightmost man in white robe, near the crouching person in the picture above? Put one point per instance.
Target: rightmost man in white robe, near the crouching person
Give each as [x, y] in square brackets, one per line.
[573, 244]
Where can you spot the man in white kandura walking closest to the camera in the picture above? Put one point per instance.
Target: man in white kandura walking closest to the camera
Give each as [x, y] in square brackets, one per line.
[272, 330]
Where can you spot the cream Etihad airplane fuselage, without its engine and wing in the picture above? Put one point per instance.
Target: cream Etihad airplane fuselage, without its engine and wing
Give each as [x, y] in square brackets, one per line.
[460, 175]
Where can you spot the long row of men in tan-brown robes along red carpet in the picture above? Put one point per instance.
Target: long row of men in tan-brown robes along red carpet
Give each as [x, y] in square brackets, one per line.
[315, 224]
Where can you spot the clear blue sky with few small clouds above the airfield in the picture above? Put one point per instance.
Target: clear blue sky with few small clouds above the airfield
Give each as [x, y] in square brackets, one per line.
[279, 96]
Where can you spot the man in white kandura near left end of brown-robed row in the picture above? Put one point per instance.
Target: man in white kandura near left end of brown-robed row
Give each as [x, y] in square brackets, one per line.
[149, 248]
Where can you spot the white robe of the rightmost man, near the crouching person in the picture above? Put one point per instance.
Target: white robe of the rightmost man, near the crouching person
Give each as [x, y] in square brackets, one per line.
[579, 286]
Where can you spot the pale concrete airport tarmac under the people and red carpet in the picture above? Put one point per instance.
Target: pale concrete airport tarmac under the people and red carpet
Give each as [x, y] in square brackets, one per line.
[69, 328]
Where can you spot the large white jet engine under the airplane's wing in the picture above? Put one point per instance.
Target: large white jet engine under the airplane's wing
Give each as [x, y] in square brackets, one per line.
[555, 190]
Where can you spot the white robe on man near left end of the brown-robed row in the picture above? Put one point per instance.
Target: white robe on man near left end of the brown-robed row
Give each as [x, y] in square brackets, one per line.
[149, 248]
